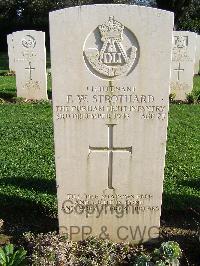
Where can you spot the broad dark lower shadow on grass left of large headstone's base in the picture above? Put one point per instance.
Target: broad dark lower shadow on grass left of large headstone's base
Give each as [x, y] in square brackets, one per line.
[21, 215]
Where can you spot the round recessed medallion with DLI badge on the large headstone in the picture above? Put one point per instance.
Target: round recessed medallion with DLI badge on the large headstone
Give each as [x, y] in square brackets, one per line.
[116, 53]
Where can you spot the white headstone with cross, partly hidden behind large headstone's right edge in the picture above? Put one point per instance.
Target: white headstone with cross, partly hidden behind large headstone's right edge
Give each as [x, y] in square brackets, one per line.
[183, 59]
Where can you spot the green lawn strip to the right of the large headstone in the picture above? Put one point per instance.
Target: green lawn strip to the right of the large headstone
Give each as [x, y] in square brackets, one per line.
[182, 172]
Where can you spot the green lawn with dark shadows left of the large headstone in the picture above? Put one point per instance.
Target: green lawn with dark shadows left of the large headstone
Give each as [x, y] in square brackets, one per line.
[27, 175]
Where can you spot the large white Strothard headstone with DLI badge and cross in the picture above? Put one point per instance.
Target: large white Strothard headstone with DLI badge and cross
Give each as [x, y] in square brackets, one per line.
[111, 71]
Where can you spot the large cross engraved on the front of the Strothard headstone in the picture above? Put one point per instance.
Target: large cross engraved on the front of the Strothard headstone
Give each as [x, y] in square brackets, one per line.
[110, 150]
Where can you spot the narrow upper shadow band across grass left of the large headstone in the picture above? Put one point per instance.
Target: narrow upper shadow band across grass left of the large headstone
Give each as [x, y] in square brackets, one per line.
[37, 184]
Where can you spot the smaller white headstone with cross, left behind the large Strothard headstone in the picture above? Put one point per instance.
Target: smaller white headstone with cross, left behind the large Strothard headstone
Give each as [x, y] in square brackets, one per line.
[30, 64]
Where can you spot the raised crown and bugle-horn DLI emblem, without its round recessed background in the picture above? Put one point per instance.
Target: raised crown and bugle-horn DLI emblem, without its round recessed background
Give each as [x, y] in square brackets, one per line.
[112, 60]
